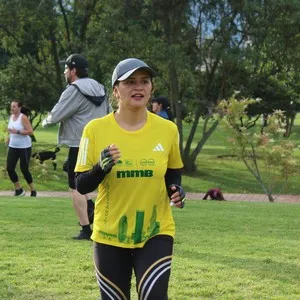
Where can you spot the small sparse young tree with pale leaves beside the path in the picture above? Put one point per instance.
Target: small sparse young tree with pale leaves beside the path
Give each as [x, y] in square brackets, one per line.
[267, 155]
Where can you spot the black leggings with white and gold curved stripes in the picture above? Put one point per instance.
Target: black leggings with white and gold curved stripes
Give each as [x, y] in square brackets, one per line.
[151, 265]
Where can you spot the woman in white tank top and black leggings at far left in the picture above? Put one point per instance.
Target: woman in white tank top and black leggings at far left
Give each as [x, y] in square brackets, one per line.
[19, 147]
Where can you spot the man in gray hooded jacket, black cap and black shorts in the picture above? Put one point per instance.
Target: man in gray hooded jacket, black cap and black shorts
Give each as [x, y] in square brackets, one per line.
[84, 99]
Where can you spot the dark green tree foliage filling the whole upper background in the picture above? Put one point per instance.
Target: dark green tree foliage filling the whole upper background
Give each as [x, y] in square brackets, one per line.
[202, 50]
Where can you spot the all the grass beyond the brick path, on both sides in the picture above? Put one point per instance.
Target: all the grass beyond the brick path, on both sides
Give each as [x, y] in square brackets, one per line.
[215, 167]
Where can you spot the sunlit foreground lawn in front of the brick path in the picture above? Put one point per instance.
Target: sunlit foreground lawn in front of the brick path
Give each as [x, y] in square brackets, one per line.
[223, 250]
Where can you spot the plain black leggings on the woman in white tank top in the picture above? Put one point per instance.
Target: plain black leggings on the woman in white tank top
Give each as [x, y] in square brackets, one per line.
[14, 154]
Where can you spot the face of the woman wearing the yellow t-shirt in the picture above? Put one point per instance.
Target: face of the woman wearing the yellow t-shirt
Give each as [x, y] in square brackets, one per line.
[135, 91]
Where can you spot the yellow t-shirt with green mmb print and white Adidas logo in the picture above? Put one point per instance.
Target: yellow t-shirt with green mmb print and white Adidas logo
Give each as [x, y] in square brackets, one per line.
[132, 203]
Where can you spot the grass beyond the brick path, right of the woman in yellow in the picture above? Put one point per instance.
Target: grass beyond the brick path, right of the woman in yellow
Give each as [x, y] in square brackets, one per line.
[217, 168]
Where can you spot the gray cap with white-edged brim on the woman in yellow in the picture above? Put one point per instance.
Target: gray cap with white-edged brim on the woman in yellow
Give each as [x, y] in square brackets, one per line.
[128, 66]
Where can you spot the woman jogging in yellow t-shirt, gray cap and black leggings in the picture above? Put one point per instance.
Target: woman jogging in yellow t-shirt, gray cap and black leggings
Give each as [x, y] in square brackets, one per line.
[136, 166]
